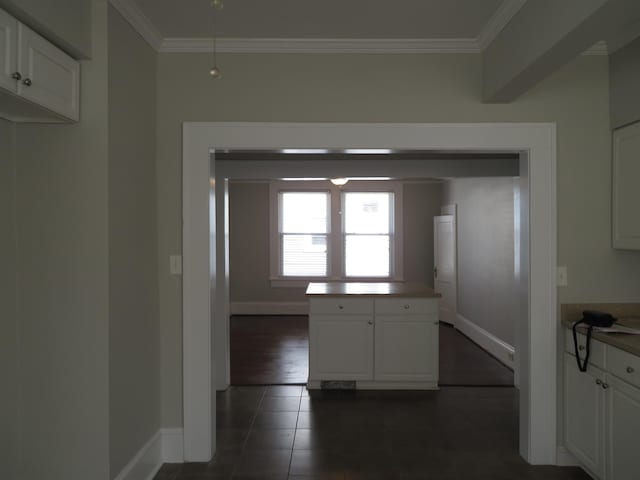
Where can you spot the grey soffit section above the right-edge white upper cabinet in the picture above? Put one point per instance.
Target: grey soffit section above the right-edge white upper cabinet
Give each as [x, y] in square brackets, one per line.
[624, 67]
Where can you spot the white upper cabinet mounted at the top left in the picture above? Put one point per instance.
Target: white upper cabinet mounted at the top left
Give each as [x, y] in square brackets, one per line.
[39, 82]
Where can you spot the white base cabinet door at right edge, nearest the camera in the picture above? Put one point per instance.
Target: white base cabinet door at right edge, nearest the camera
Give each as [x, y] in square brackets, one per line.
[623, 430]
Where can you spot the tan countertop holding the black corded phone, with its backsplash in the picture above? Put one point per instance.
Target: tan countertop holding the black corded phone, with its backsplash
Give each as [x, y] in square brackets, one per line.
[628, 315]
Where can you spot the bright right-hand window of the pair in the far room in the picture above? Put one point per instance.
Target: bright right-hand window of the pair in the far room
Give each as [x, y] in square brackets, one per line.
[367, 229]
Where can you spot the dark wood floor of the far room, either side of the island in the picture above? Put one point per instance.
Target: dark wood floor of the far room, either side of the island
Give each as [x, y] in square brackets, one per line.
[273, 350]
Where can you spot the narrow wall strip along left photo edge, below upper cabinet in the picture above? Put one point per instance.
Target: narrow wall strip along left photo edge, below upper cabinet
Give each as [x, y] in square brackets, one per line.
[9, 364]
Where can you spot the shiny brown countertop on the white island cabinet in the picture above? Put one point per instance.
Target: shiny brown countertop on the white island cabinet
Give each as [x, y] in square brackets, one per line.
[371, 289]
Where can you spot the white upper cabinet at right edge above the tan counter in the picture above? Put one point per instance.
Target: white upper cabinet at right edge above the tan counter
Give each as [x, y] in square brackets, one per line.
[626, 194]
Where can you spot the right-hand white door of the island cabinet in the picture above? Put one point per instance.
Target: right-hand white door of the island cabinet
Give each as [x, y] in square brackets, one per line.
[406, 348]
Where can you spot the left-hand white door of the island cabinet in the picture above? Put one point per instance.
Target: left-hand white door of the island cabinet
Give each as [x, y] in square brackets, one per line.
[341, 347]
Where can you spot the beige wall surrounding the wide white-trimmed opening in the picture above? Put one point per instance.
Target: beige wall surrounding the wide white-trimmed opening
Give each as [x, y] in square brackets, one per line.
[395, 88]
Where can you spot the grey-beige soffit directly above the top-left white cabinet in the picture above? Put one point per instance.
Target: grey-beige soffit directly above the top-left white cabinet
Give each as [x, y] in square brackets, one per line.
[66, 23]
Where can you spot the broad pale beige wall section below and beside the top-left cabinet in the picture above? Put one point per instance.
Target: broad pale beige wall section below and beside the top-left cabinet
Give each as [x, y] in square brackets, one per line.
[62, 299]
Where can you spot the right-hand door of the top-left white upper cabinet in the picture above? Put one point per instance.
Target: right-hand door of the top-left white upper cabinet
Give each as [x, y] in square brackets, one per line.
[49, 76]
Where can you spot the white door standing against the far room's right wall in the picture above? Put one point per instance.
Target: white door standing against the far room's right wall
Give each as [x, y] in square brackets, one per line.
[444, 262]
